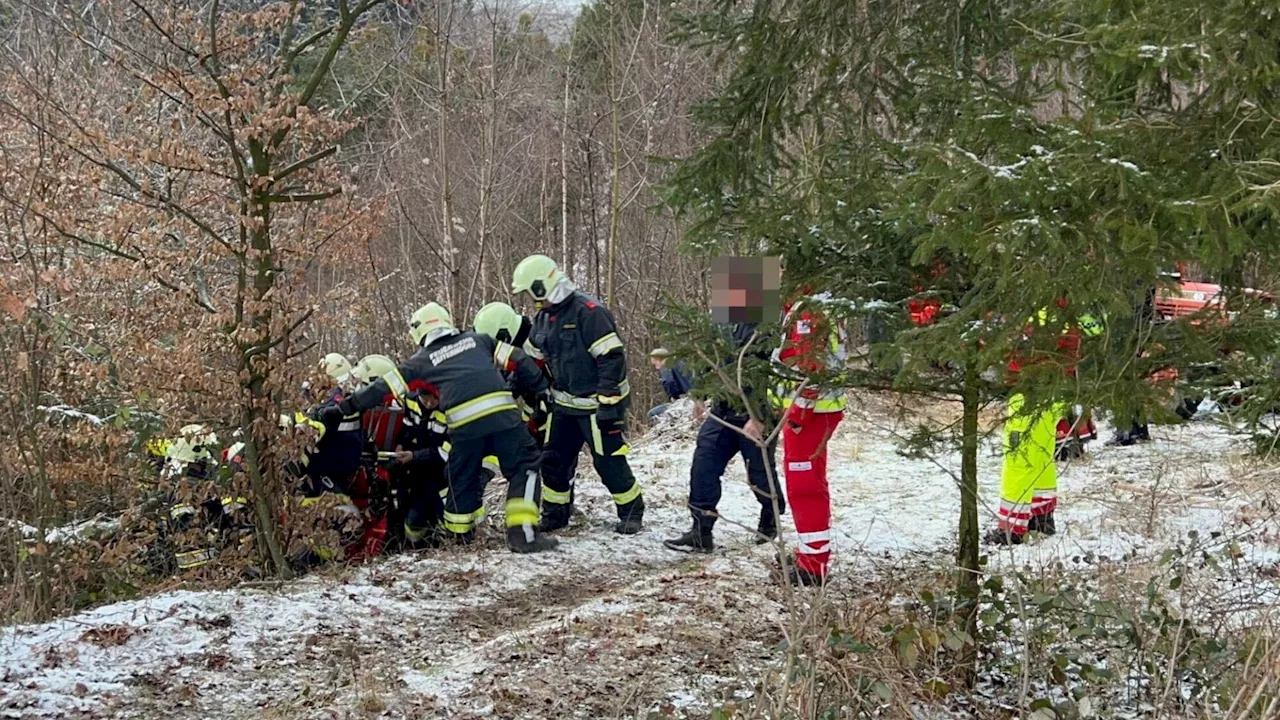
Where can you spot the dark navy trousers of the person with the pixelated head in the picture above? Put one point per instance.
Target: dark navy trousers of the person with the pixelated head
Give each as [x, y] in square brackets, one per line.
[717, 445]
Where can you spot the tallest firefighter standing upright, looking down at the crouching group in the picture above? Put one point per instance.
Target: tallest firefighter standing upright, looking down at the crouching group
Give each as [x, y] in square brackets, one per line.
[591, 393]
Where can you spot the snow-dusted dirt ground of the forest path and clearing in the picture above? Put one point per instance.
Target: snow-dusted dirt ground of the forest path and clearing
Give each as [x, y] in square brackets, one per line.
[609, 626]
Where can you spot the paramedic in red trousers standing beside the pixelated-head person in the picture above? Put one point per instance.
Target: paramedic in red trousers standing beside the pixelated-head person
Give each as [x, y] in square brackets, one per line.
[812, 347]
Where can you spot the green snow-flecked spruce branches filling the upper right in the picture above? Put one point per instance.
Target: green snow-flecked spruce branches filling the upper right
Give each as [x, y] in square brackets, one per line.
[1040, 152]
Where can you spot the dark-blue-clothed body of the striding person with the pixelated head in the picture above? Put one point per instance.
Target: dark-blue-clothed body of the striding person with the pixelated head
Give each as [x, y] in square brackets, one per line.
[726, 434]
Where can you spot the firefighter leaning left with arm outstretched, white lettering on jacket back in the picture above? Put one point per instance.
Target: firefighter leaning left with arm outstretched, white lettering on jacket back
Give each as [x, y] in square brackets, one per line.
[481, 416]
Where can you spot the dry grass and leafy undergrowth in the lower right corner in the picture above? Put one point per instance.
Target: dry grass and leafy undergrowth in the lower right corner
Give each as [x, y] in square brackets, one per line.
[1191, 634]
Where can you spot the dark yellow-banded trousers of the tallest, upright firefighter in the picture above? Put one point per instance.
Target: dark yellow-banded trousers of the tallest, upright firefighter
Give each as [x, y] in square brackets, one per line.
[566, 435]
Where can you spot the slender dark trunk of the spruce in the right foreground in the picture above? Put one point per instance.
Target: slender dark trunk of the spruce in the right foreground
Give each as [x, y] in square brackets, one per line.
[968, 576]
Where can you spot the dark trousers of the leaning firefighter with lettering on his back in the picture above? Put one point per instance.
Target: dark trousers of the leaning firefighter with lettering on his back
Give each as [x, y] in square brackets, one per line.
[518, 457]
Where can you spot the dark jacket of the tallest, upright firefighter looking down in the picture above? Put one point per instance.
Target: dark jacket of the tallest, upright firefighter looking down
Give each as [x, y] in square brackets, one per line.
[584, 356]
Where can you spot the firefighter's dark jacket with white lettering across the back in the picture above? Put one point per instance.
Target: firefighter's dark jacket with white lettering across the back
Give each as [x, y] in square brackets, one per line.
[461, 371]
